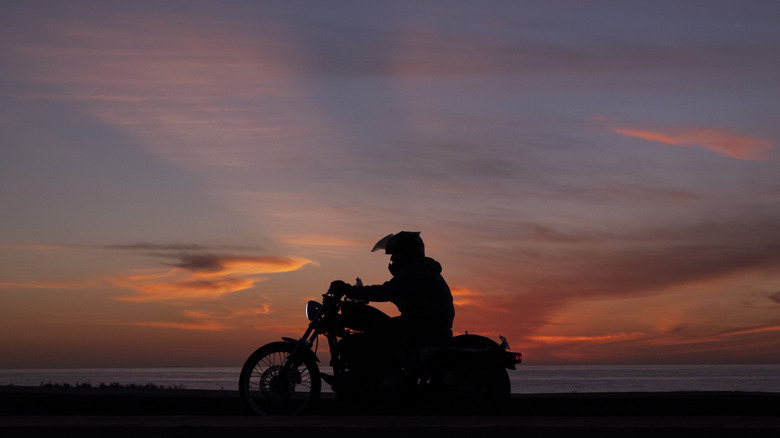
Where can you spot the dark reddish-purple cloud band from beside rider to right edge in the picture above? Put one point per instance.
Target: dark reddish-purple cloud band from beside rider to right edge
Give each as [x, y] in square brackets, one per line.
[557, 263]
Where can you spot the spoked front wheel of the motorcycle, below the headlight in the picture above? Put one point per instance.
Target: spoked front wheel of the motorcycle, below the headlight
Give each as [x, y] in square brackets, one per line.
[266, 392]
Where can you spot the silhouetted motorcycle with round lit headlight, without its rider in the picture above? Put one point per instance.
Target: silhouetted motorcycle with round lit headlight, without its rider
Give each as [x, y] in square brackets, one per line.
[466, 375]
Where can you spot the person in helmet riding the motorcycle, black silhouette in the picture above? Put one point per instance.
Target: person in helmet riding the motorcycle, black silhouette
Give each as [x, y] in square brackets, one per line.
[417, 289]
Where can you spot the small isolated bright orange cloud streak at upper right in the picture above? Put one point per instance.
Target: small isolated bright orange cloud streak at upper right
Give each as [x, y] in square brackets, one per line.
[722, 141]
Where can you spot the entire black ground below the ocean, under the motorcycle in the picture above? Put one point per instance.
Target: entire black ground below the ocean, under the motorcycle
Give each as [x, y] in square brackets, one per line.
[88, 412]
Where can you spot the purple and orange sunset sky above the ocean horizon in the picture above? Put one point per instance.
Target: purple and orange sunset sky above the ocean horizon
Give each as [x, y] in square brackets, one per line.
[599, 179]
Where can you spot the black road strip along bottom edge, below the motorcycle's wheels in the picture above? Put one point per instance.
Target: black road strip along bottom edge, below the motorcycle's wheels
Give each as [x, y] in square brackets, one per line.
[387, 426]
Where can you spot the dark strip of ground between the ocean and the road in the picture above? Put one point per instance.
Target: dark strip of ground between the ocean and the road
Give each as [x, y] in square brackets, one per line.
[167, 402]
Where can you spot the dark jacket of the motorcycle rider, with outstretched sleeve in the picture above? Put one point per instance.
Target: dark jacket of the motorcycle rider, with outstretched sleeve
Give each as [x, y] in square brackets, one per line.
[418, 290]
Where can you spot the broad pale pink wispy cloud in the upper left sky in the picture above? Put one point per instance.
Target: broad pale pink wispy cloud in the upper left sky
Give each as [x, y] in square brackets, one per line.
[170, 79]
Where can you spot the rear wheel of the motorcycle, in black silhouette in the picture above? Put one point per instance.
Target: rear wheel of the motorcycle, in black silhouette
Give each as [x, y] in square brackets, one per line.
[475, 389]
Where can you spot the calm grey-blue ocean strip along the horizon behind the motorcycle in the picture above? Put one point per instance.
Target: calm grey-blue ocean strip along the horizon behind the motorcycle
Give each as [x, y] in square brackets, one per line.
[527, 379]
